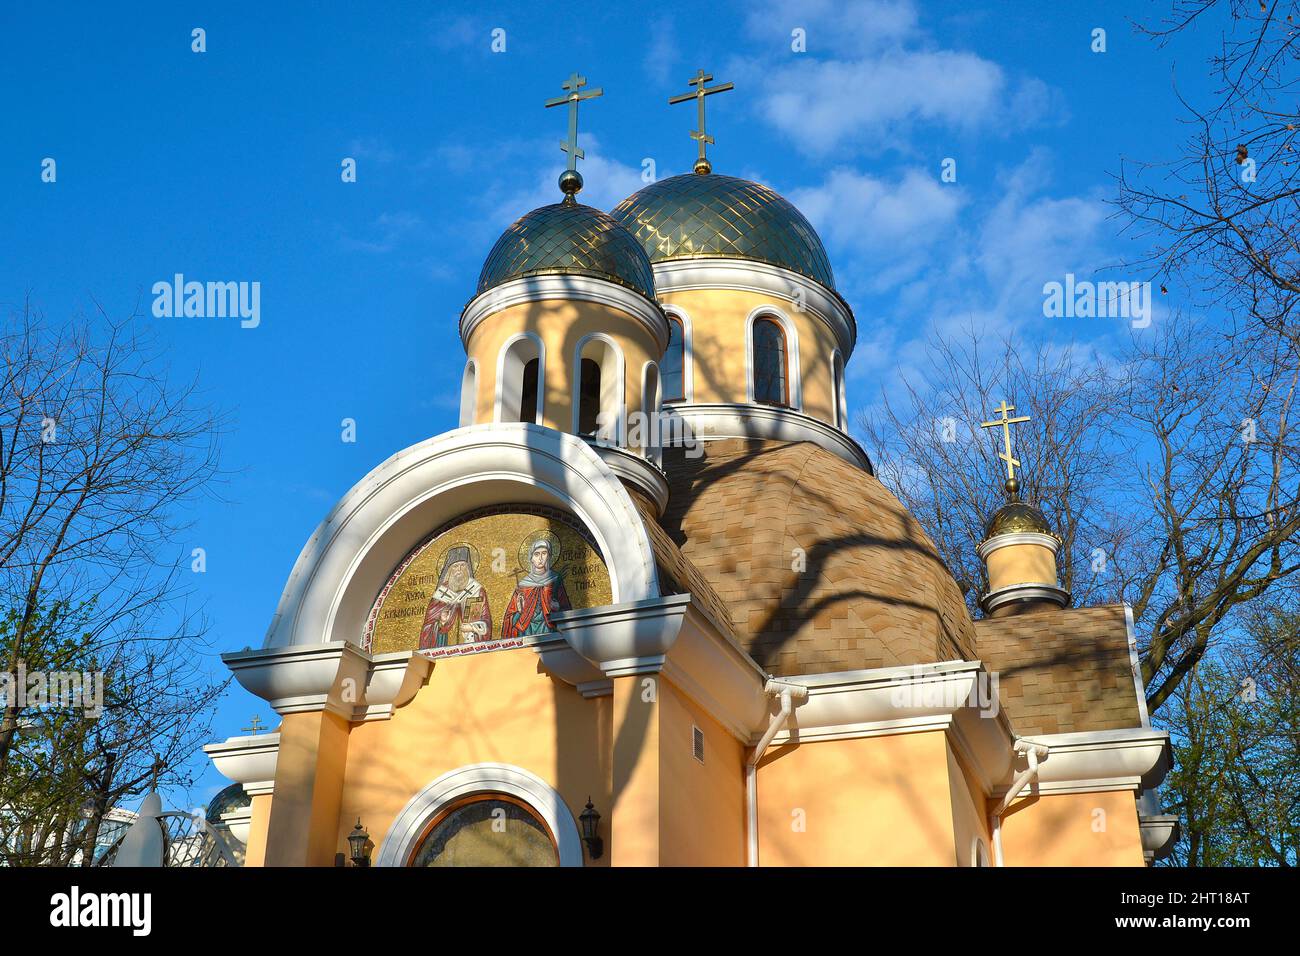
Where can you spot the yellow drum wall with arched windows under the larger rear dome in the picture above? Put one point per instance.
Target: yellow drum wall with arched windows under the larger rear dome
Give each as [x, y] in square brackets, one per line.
[718, 319]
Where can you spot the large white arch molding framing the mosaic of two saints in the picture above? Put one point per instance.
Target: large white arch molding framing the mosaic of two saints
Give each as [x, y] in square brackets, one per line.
[352, 555]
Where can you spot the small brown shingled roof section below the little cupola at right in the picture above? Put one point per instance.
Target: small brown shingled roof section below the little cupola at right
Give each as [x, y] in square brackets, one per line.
[1063, 671]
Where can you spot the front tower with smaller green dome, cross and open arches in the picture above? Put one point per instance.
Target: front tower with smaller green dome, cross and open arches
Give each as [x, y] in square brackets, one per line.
[565, 331]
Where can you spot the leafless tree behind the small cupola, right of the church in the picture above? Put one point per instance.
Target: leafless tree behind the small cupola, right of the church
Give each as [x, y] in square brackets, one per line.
[1171, 474]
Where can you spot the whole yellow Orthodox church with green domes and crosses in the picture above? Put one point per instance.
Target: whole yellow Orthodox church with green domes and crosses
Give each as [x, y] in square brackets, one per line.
[649, 604]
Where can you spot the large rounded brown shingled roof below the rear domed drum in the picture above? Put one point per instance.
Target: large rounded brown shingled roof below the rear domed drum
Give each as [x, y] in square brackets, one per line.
[874, 591]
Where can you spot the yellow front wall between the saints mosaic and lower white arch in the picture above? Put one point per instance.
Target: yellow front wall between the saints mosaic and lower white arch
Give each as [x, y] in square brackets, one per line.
[487, 708]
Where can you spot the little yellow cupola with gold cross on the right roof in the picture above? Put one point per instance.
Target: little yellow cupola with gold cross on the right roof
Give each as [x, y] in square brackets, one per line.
[1020, 548]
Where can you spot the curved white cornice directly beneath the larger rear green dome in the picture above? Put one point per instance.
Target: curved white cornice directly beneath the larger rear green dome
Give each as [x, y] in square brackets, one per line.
[764, 279]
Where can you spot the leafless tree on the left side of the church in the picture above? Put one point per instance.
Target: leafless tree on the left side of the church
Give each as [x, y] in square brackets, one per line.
[101, 455]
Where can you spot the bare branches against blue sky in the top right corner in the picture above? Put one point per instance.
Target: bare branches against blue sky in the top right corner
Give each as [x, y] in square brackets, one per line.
[1223, 217]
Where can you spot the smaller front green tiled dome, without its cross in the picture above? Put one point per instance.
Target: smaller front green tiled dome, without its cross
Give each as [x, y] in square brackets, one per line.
[569, 240]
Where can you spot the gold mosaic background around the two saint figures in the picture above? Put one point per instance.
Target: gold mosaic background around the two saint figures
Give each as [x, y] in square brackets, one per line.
[496, 542]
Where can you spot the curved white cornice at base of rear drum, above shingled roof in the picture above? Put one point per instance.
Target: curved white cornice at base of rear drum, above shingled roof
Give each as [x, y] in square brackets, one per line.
[720, 421]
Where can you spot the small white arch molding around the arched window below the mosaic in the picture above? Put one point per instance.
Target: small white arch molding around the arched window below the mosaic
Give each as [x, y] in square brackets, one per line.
[471, 781]
